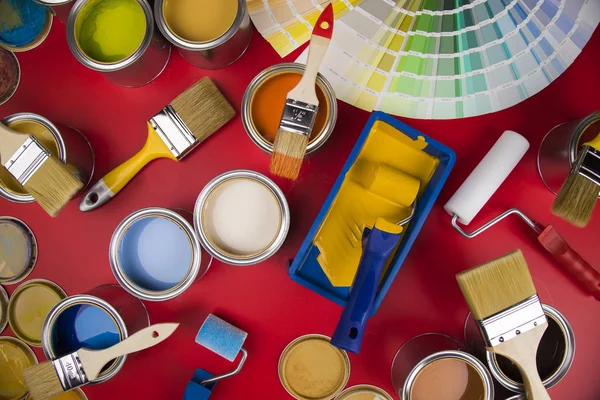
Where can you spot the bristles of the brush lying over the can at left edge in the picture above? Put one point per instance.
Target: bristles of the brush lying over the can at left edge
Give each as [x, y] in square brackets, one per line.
[53, 185]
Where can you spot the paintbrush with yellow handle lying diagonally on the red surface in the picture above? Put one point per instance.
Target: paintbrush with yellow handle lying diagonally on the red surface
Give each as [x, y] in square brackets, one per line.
[173, 133]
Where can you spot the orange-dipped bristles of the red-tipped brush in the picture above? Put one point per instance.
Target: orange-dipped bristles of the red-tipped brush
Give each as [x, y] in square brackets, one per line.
[288, 154]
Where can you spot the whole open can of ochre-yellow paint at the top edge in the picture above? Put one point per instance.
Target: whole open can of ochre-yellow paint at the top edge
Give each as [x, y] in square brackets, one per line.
[210, 49]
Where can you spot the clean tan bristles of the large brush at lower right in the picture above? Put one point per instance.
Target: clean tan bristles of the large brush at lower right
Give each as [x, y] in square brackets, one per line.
[497, 285]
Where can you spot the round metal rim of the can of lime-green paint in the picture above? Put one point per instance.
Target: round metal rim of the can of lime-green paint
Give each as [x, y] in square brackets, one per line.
[102, 66]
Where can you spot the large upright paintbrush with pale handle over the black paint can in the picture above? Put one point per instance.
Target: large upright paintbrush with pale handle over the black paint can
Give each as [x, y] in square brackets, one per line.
[502, 297]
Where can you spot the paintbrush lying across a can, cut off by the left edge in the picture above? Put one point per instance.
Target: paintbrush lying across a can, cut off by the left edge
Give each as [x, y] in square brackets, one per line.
[42, 175]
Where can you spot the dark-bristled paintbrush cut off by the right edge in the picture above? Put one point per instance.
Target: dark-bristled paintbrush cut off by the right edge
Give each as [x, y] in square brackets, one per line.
[578, 195]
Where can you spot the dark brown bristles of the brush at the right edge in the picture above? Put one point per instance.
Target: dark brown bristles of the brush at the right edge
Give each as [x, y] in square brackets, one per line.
[576, 200]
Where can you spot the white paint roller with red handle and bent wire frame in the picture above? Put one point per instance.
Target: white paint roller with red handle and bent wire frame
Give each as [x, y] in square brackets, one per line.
[483, 182]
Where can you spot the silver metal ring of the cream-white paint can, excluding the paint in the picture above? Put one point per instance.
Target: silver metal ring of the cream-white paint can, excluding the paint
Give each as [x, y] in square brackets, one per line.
[208, 239]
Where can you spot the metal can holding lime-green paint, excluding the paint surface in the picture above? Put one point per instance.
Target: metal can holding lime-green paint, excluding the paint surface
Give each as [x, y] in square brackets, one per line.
[142, 67]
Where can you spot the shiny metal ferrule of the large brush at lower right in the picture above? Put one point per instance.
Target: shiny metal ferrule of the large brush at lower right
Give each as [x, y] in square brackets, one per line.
[510, 323]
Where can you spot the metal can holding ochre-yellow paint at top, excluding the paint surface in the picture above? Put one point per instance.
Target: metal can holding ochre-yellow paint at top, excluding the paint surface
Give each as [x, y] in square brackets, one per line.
[214, 54]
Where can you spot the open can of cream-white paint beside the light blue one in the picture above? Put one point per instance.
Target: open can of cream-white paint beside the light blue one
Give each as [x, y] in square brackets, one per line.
[242, 217]
